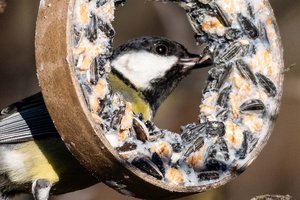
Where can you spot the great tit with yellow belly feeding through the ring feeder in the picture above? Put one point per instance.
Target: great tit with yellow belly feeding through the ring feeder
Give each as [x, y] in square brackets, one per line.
[33, 158]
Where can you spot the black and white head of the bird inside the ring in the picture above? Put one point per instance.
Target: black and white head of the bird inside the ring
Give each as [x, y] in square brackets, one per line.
[154, 66]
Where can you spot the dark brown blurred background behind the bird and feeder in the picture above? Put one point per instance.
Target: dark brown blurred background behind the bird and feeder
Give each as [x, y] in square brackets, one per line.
[277, 168]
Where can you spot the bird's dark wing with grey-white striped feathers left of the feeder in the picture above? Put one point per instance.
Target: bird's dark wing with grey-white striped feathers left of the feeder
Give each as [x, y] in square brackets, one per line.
[26, 120]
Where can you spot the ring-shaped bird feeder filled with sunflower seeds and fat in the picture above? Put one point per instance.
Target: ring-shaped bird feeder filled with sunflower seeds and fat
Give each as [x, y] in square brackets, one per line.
[237, 113]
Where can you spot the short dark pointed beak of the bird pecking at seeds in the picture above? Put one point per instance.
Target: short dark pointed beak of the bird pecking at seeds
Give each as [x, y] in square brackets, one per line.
[195, 61]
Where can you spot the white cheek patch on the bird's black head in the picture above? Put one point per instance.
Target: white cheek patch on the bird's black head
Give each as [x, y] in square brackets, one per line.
[142, 67]
